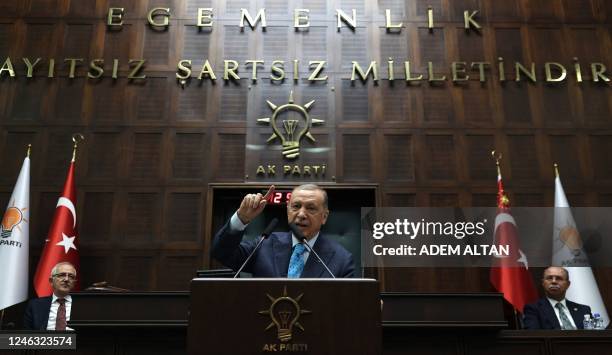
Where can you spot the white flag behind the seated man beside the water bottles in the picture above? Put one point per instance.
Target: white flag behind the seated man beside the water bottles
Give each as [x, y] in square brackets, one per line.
[568, 252]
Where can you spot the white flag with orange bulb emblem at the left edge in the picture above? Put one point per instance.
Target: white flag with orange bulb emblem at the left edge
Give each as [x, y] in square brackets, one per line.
[14, 242]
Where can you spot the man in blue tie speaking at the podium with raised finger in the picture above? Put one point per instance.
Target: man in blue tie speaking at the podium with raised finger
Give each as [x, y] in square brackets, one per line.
[282, 254]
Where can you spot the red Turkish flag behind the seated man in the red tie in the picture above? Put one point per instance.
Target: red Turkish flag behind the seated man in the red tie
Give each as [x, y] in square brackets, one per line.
[62, 243]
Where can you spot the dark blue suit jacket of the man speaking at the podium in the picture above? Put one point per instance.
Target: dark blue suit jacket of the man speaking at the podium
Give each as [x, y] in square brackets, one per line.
[272, 258]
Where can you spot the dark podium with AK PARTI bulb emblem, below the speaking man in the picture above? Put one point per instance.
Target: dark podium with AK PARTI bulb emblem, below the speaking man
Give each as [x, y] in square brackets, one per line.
[301, 316]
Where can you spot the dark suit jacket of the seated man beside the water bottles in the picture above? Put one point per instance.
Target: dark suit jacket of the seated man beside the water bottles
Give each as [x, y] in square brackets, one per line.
[541, 315]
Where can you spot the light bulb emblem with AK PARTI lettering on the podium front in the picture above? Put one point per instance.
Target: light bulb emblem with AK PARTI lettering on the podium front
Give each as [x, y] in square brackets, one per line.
[285, 312]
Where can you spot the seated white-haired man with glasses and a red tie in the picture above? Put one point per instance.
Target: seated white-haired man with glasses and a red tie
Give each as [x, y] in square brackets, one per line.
[52, 312]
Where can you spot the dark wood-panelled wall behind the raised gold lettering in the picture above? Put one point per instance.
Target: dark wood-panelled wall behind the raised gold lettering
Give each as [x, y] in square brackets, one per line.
[152, 145]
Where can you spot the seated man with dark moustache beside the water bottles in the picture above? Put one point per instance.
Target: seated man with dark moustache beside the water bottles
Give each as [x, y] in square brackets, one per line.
[555, 311]
